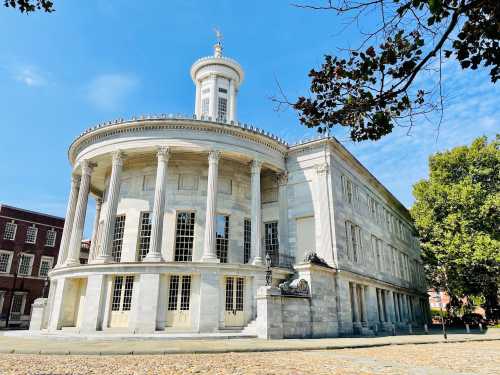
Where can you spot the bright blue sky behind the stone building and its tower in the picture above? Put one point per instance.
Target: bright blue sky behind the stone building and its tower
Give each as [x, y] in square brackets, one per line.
[97, 60]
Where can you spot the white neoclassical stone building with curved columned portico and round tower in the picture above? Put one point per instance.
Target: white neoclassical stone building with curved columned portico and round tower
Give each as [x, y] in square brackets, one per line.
[189, 207]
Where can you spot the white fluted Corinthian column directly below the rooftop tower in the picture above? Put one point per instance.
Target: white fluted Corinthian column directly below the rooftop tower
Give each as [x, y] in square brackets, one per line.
[209, 254]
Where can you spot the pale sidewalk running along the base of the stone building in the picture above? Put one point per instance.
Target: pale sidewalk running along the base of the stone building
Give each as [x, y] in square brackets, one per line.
[51, 345]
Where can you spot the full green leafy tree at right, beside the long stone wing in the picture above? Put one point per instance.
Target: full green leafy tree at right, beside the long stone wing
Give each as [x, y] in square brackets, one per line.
[457, 215]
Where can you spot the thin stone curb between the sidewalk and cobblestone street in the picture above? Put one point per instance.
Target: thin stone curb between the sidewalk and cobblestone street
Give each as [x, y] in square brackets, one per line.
[235, 350]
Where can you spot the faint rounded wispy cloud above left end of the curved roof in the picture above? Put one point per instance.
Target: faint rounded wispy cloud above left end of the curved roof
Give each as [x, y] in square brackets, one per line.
[108, 91]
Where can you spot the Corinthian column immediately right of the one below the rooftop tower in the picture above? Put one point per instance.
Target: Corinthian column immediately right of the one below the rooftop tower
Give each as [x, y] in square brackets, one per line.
[256, 229]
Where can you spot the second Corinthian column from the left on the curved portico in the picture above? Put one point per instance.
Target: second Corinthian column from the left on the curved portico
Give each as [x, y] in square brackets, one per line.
[75, 243]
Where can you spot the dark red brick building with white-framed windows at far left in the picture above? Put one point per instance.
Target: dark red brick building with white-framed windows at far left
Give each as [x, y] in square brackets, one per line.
[29, 245]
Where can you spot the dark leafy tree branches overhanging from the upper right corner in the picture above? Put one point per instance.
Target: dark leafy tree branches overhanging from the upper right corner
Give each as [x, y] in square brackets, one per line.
[372, 88]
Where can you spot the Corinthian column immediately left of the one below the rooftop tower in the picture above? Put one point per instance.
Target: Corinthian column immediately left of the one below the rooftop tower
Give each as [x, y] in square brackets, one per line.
[154, 253]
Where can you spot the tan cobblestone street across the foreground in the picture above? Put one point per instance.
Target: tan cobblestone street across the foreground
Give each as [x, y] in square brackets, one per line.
[452, 358]
